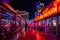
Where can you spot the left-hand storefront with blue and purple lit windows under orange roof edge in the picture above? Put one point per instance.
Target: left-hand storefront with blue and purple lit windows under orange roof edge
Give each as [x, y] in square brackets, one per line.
[10, 24]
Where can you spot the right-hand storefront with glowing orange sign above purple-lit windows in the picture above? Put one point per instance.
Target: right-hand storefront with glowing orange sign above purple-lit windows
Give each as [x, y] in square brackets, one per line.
[51, 14]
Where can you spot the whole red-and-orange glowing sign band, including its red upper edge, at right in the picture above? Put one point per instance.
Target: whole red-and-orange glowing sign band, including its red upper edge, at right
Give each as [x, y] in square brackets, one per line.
[49, 12]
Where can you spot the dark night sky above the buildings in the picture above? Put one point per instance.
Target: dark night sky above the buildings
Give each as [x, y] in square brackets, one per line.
[28, 5]
